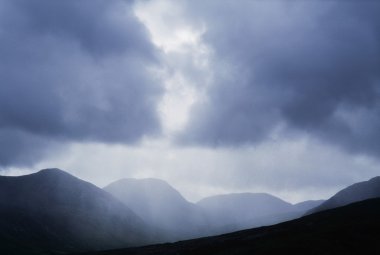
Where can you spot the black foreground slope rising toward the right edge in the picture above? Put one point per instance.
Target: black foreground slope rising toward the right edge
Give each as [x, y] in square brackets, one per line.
[352, 229]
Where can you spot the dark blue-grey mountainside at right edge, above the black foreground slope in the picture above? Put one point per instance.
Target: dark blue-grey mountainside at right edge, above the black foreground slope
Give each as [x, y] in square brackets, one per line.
[354, 193]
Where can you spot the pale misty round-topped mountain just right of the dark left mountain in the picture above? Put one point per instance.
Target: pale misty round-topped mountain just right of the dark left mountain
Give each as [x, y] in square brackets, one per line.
[161, 205]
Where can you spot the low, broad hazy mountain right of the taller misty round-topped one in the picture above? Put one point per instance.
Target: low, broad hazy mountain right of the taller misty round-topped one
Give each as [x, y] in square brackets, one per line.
[232, 212]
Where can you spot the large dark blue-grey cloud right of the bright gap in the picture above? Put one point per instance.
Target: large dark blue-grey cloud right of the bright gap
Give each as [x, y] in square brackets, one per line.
[310, 66]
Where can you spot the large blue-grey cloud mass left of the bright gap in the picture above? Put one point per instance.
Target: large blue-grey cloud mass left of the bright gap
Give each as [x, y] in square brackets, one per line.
[73, 71]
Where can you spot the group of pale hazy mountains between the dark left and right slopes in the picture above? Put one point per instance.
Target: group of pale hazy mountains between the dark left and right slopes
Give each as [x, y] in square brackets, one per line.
[161, 205]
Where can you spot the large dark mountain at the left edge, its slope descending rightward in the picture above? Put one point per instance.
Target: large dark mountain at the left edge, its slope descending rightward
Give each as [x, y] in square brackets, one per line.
[52, 211]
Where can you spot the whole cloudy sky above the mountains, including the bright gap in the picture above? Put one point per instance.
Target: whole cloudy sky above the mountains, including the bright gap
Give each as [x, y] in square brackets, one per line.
[215, 96]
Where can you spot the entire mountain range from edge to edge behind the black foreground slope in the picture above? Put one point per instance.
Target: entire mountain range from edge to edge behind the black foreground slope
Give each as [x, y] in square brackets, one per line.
[53, 212]
